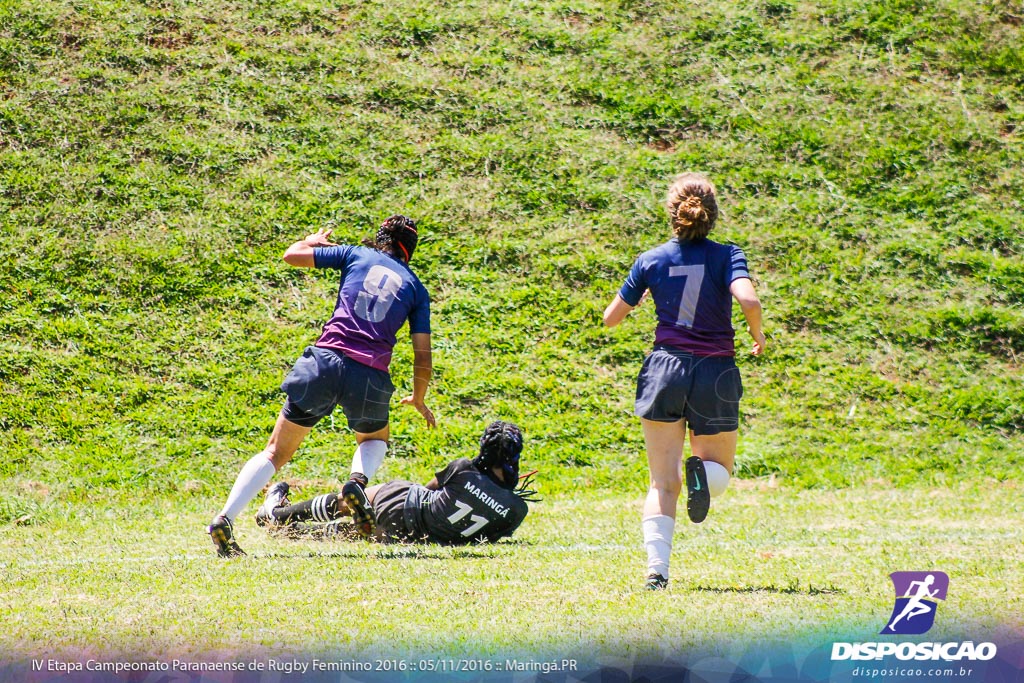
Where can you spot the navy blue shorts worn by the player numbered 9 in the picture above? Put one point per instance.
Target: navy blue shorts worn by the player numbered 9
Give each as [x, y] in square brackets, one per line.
[322, 379]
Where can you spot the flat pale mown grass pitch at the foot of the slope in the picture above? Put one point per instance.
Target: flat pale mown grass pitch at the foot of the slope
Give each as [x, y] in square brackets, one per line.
[771, 566]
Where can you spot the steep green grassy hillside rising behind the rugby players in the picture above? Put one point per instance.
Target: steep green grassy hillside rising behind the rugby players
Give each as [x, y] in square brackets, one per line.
[157, 158]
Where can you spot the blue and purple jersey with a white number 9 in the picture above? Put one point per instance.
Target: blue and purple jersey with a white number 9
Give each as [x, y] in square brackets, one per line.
[377, 295]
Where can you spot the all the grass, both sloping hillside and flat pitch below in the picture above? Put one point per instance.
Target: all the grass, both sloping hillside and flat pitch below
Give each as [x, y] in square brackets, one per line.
[157, 158]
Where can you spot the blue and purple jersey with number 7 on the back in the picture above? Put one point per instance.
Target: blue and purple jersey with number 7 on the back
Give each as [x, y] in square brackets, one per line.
[690, 283]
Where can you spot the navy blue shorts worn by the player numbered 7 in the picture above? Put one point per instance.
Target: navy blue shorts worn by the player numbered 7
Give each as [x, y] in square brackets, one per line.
[704, 391]
